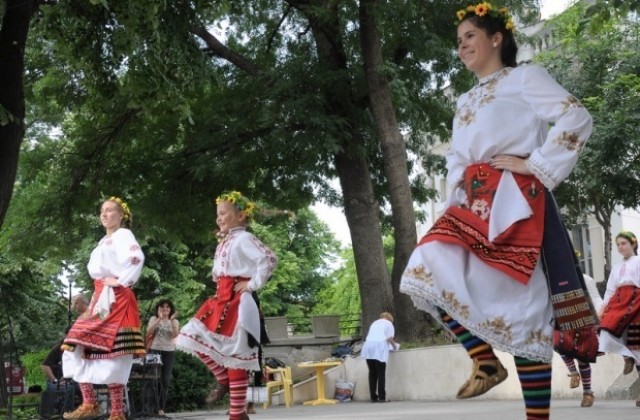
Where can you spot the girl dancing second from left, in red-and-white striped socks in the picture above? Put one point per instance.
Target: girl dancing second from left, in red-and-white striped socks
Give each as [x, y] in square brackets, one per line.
[225, 331]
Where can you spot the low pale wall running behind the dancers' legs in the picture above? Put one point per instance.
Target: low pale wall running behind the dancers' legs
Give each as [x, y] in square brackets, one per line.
[436, 373]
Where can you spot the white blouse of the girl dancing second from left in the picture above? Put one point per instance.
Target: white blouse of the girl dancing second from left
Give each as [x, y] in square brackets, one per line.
[241, 254]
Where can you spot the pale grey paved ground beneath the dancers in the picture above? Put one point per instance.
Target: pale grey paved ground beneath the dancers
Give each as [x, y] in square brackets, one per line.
[445, 410]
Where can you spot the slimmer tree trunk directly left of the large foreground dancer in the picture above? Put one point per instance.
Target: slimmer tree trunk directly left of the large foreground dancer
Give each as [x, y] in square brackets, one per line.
[395, 165]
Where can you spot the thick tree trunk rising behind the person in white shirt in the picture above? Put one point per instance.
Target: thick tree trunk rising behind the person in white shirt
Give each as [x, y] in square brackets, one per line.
[360, 205]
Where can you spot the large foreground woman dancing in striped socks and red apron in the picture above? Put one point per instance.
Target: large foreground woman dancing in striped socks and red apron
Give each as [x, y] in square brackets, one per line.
[488, 266]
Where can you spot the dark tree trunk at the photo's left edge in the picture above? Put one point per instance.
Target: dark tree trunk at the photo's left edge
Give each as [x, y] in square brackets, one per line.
[13, 38]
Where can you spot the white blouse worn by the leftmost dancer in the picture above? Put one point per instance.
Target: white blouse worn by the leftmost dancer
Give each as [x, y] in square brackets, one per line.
[119, 256]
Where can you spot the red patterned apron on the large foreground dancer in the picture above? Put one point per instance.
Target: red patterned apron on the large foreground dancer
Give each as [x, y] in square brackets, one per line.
[515, 251]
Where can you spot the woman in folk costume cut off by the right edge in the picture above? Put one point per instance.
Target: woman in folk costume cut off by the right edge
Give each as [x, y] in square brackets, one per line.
[620, 314]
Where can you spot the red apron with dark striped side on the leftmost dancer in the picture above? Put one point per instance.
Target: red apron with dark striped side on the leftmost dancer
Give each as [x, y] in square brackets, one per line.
[115, 335]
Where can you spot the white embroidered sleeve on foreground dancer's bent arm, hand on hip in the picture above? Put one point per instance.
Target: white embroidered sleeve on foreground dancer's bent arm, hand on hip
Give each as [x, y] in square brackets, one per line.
[553, 161]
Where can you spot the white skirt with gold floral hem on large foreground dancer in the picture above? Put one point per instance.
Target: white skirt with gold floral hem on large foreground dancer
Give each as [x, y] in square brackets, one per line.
[512, 317]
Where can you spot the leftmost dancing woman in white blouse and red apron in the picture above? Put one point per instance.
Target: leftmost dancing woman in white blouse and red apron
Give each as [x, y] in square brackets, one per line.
[103, 342]
